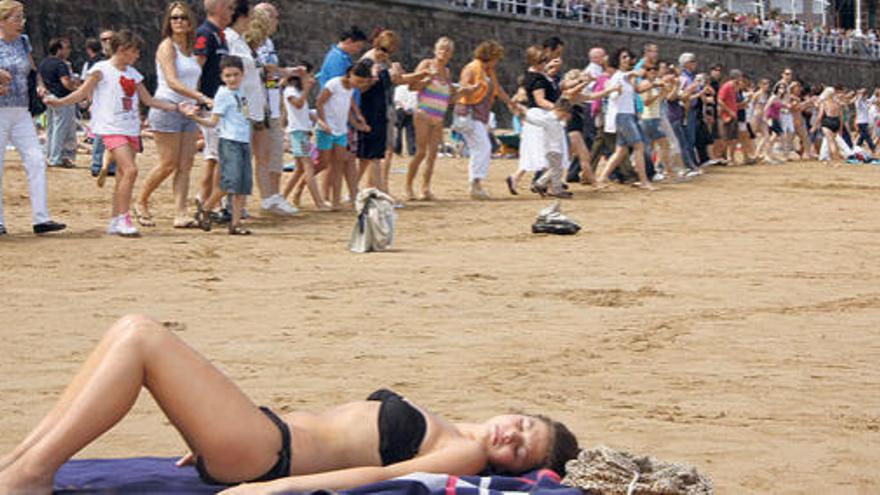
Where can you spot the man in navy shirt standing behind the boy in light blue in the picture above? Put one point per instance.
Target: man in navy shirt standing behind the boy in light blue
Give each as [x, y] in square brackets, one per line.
[210, 47]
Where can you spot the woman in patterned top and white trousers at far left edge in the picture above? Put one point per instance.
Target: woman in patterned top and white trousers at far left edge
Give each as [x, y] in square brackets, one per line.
[16, 125]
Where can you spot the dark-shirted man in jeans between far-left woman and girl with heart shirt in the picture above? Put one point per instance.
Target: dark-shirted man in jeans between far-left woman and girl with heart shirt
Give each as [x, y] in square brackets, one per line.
[61, 127]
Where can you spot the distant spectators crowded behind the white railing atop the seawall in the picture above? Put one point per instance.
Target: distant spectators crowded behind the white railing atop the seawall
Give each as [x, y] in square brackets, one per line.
[677, 18]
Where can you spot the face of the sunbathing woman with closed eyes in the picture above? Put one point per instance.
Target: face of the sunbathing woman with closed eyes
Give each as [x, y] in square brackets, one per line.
[517, 443]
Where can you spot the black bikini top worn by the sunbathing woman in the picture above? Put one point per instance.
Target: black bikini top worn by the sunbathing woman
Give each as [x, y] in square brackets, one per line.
[402, 427]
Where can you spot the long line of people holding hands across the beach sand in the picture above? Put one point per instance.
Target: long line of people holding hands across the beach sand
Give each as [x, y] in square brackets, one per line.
[221, 86]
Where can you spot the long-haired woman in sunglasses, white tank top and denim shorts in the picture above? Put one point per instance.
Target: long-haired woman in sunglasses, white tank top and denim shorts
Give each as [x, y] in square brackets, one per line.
[178, 72]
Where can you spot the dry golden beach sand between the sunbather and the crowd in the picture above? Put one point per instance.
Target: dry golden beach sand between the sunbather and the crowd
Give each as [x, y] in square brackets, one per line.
[730, 322]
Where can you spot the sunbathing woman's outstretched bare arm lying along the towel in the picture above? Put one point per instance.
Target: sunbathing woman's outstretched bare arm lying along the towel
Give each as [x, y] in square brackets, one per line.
[461, 459]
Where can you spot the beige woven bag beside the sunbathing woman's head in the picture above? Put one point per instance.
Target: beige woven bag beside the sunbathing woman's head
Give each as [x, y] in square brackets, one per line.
[606, 471]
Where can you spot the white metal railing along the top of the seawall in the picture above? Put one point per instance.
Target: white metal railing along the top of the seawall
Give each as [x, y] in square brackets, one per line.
[674, 22]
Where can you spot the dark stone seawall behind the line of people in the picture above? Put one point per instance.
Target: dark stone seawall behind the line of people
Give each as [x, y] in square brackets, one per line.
[310, 26]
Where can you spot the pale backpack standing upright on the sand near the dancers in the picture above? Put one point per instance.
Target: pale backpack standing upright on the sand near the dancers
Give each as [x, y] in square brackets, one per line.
[374, 229]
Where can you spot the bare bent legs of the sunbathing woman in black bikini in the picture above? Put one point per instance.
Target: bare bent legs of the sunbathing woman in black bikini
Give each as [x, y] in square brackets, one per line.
[234, 438]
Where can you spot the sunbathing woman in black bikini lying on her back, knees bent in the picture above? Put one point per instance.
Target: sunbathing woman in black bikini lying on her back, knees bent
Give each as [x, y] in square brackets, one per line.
[234, 441]
